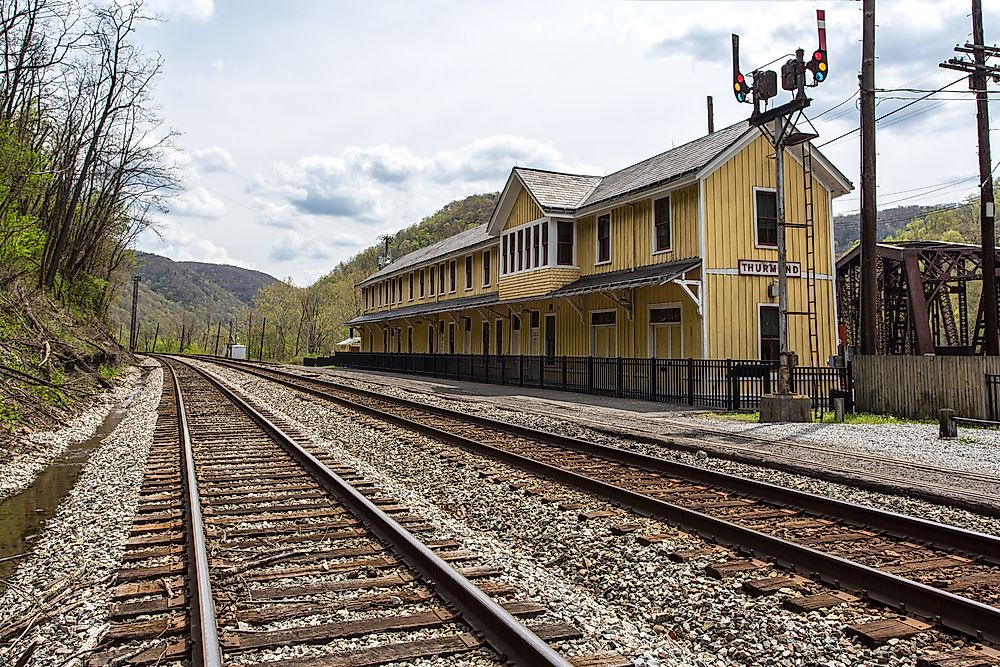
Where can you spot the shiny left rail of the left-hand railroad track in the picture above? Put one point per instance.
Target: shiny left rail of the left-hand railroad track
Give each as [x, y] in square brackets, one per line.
[206, 650]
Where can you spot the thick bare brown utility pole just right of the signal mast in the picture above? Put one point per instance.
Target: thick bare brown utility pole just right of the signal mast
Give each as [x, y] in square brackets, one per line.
[869, 204]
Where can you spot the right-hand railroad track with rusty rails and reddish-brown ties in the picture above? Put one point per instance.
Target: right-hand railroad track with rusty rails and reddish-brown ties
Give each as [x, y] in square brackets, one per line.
[946, 575]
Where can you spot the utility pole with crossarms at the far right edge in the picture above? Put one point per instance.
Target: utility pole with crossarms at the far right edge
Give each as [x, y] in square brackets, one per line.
[979, 74]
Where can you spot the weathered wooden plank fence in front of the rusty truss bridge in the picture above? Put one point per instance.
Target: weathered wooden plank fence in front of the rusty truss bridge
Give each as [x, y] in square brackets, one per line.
[917, 387]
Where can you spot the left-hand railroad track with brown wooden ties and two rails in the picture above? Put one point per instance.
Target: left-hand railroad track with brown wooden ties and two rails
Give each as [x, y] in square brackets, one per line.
[246, 545]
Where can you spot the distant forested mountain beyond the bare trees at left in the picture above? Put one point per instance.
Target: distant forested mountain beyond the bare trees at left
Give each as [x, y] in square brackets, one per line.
[185, 295]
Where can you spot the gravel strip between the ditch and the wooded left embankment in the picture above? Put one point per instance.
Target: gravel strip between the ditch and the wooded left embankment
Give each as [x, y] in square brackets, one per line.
[31, 453]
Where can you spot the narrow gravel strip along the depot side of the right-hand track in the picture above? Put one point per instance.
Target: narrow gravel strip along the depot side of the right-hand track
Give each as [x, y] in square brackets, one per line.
[896, 503]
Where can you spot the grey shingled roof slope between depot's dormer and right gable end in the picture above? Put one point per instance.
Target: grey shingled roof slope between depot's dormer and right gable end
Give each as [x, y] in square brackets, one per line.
[686, 159]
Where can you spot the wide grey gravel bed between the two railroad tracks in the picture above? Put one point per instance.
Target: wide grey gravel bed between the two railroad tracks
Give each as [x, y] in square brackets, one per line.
[626, 596]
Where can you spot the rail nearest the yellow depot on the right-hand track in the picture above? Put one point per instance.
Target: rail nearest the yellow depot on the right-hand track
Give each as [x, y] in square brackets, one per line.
[942, 536]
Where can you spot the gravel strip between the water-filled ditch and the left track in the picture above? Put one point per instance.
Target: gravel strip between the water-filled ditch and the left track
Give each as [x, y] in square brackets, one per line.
[63, 587]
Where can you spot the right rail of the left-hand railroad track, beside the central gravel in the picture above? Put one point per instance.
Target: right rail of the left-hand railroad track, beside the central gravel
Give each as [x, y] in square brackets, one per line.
[498, 627]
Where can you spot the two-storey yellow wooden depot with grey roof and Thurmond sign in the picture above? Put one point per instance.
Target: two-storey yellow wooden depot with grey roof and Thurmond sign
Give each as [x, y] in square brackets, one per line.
[672, 257]
